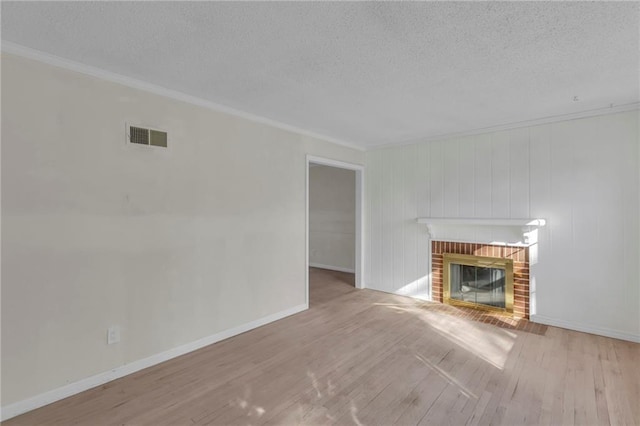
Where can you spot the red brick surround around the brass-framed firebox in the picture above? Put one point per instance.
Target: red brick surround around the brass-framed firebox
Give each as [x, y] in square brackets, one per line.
[520, 256]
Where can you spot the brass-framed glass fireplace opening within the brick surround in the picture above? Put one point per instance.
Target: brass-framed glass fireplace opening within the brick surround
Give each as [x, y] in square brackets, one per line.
[478, 281]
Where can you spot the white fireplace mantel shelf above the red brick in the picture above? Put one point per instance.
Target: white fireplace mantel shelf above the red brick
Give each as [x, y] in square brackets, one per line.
[524, 226]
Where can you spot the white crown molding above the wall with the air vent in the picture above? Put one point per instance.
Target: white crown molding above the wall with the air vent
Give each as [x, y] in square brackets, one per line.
[57, 61]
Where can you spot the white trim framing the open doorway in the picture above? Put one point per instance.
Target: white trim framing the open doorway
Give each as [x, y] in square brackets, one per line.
[359, 171]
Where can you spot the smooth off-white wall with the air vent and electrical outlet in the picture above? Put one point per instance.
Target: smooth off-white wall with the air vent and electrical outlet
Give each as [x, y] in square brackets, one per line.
[171, 245]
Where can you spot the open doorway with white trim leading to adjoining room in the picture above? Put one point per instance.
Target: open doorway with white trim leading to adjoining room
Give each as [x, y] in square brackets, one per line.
[334, 225]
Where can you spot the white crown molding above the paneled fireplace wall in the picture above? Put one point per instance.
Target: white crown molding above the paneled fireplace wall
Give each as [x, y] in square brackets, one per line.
[633, 106]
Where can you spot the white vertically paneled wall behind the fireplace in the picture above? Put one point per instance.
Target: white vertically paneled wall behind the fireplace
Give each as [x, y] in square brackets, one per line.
[581, 175]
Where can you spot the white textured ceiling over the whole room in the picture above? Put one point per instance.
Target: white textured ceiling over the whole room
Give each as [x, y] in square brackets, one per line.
[366, 73]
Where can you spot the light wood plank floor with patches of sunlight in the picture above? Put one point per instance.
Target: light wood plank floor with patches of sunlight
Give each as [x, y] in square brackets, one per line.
[364, 357]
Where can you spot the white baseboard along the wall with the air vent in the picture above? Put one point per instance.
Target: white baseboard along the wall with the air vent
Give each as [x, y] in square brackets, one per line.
[62, 392]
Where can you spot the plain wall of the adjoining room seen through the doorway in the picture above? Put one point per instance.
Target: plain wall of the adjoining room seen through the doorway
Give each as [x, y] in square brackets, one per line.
[332, 214]
